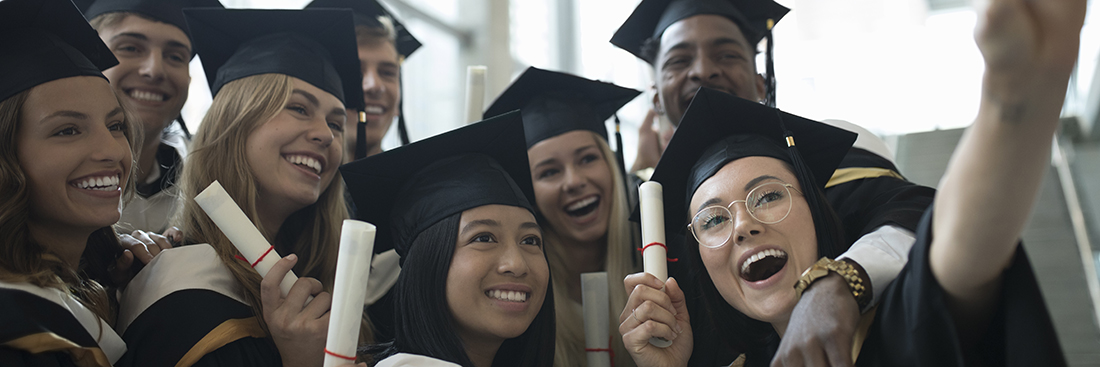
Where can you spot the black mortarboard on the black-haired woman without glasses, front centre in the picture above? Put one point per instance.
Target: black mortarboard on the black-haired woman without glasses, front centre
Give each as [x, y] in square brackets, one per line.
[411, 188]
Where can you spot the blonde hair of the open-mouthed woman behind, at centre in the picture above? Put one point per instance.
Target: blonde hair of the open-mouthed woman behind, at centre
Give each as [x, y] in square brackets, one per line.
[620, 262]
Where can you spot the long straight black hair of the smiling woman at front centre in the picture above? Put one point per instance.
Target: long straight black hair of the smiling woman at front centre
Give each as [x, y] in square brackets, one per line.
[425, 326]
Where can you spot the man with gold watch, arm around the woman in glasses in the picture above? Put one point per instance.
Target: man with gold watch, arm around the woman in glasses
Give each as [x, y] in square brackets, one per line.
[713, 43]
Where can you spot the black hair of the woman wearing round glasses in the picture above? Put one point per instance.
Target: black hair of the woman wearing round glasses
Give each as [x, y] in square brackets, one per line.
[756, 339]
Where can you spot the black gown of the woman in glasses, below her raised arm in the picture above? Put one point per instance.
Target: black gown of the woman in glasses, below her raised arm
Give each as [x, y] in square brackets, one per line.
[914, 327]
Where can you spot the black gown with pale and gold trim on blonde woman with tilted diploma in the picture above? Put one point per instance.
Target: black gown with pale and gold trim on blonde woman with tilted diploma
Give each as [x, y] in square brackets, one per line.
[185, 307]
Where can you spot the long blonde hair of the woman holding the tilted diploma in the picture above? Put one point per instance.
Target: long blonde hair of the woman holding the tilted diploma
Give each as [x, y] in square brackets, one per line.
[218, 153]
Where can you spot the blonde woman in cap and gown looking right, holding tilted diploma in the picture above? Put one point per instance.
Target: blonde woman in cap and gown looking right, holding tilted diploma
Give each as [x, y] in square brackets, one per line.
[272, 139]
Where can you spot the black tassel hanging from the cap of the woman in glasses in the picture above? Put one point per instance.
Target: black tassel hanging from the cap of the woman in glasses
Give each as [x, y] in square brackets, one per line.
[826, 223]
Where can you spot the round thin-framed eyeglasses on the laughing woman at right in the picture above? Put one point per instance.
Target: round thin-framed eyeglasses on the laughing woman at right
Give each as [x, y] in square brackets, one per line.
[768, 204]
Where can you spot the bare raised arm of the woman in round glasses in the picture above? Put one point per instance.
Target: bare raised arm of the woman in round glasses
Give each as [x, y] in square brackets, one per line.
[985, 199]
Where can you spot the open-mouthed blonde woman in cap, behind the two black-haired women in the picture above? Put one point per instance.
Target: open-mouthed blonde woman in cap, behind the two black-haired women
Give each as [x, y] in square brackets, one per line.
[579, 192]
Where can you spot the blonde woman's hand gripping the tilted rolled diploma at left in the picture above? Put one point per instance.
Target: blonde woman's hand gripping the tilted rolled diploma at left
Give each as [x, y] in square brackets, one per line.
[299, 329]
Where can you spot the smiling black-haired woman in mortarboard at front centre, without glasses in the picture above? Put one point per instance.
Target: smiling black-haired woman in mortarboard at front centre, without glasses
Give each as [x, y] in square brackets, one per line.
[457, 209]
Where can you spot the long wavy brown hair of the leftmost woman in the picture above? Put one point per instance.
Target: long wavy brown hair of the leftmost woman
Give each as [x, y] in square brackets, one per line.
[25, 260]
